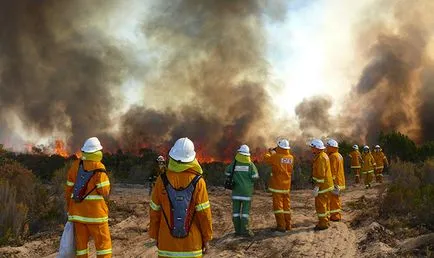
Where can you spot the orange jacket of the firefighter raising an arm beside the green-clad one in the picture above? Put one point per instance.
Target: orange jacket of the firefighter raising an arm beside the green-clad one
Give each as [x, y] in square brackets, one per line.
[282, 163]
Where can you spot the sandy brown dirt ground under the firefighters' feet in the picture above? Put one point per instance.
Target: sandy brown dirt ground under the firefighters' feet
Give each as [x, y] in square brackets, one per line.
[129, 221]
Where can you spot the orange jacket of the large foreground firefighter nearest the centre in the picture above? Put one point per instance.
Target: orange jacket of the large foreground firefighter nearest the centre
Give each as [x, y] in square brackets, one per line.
[201, 228]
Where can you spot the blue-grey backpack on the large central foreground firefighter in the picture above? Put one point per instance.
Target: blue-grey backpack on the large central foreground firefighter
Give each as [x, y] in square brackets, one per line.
[182, 208]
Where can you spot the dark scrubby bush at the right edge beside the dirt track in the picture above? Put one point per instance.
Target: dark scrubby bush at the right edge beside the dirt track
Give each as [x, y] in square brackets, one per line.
[411, 193]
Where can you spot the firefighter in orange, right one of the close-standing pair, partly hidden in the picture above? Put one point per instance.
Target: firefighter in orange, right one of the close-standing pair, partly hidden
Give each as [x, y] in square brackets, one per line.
[338, 174]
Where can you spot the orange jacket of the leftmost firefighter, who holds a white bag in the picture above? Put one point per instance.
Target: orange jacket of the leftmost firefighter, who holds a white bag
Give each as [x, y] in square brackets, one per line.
[93, 209]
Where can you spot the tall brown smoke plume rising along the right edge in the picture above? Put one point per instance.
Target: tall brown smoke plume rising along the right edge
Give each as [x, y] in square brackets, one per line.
[388, 95]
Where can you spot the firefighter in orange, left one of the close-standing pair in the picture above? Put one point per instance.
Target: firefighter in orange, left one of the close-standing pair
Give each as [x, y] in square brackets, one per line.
[323, 181]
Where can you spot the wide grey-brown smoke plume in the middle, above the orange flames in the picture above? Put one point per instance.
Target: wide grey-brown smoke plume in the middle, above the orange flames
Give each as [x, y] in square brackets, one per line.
[212, 73]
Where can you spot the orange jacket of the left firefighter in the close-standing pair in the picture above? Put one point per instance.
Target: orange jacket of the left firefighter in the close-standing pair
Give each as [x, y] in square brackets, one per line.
[321, 173]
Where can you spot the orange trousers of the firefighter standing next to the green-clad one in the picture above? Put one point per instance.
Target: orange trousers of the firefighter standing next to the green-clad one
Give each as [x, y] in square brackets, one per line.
[282, 210]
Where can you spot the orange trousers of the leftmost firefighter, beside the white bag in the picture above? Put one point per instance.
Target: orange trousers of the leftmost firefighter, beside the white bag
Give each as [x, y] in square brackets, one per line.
[100, 234]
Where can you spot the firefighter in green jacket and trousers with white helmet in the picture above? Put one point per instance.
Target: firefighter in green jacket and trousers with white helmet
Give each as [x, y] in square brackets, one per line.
[243, 173]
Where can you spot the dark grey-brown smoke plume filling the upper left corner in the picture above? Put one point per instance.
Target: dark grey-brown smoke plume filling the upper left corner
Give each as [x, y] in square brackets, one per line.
[58, 71]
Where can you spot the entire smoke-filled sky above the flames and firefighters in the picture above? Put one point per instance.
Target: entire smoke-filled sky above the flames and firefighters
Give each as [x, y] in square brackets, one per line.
[203, 70]
